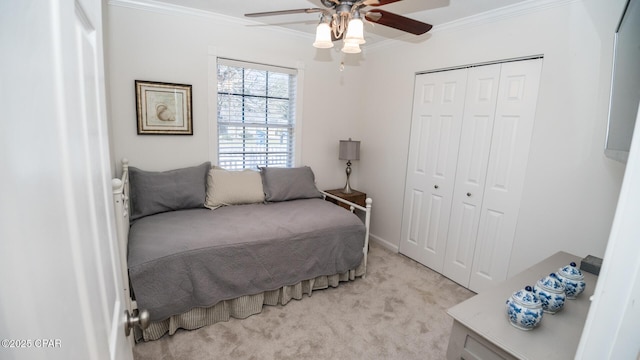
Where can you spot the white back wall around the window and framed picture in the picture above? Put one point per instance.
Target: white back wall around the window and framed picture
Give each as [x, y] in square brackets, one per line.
[172, 45]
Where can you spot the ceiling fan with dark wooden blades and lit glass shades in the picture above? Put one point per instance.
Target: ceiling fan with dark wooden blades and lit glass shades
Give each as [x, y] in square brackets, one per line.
[345, 21]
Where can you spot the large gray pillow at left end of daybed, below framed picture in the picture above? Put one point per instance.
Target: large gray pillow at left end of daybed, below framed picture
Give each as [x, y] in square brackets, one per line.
[156, 192]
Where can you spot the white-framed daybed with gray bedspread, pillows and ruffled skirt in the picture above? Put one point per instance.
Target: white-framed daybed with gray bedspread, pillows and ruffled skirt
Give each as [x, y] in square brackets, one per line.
[204, 244]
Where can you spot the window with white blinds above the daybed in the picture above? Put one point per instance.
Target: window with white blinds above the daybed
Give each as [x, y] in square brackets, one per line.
[256, 115]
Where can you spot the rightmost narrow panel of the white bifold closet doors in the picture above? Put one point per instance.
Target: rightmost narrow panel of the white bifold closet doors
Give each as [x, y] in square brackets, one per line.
[512, 130]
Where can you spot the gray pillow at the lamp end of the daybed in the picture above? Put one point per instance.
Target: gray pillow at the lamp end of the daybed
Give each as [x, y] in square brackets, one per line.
[282, 184]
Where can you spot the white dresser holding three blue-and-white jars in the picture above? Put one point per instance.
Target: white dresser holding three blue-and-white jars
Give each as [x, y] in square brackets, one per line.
[481, 330]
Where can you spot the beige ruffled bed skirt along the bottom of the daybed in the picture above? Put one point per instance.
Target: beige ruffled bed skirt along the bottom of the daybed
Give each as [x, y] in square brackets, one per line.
[244, 306]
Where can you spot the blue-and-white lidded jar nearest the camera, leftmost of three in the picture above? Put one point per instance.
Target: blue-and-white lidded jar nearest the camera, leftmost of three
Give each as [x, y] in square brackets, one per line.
[524, 309]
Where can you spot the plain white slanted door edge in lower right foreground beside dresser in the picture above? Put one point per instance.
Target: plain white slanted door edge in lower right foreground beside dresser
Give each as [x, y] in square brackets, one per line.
[610, 331]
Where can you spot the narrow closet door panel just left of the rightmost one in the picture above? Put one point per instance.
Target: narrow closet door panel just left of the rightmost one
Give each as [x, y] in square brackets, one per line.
[473, 158]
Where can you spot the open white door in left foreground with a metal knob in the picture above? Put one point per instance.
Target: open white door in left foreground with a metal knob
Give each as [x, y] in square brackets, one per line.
[62, 291]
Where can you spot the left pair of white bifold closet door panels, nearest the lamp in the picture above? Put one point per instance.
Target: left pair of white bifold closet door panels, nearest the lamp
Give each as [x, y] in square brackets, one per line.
[435, 136]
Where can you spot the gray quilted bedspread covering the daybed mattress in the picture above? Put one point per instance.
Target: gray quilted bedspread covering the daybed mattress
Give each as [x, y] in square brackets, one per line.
[195, 258]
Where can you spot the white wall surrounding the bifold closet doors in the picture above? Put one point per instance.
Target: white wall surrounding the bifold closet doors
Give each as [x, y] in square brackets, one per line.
[571, 189]
